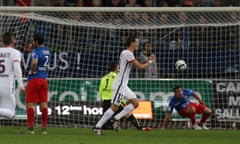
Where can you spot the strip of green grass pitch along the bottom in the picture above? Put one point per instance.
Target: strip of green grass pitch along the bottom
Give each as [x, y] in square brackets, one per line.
[11, 135]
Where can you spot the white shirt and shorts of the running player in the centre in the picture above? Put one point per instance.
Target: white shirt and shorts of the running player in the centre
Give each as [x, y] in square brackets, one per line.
[120, 88]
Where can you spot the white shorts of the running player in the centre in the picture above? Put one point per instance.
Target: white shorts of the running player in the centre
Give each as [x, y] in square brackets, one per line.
[123, 92]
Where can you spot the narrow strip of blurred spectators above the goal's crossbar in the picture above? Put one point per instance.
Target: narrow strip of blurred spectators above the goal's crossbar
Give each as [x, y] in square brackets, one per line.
[122, 3]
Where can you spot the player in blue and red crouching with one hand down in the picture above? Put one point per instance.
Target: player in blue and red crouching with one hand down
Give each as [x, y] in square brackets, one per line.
[181, 102]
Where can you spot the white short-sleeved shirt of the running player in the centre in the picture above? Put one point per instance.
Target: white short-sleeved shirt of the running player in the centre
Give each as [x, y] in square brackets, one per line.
[125, 66]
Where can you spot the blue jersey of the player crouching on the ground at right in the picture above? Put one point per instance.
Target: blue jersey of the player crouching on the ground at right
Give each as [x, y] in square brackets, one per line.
[180, 103]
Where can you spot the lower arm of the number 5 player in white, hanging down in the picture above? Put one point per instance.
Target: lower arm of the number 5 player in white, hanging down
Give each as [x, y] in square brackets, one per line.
[18, 73]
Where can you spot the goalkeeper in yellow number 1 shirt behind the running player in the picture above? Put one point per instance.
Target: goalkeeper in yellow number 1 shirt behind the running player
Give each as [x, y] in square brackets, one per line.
[105, 92]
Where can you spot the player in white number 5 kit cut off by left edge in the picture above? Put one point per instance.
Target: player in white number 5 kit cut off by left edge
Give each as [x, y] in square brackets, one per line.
[10, 68]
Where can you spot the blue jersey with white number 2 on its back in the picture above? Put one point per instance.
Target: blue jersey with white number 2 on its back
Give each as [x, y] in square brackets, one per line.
[43, 56]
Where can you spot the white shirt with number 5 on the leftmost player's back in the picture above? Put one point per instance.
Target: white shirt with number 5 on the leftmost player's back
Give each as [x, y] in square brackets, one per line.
[7, 56]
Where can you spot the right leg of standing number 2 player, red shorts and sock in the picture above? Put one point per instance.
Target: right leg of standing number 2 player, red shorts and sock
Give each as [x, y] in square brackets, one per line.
[43, 97]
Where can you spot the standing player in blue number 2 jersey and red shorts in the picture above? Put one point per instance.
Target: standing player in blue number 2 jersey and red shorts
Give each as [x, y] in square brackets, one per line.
[37, 85]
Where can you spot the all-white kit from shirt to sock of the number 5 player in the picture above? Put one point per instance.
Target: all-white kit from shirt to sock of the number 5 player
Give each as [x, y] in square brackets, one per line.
[8, 55]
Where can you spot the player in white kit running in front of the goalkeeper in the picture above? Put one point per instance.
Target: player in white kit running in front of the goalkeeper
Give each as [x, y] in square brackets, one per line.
[120, 86]
